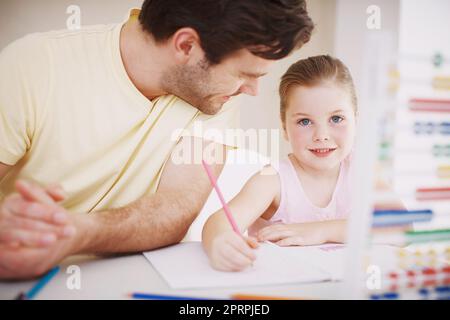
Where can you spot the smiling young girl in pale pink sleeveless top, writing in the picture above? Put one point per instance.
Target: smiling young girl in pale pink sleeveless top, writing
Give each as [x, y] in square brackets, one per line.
[305, 200]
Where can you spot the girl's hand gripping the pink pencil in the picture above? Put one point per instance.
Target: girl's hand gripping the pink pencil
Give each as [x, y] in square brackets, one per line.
[231, 252]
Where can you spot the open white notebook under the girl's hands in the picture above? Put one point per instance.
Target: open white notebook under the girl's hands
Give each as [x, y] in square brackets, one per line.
[186, 265]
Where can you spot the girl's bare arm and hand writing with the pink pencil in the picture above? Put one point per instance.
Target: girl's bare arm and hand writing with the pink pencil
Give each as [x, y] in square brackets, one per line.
[227, 250]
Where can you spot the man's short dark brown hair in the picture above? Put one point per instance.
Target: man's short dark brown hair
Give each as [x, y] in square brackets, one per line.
[270, 29]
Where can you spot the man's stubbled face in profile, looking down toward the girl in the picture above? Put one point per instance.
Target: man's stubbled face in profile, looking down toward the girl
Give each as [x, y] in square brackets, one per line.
[209, 87]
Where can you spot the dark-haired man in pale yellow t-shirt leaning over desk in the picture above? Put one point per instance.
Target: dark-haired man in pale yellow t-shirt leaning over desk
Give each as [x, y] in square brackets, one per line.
[95, 111]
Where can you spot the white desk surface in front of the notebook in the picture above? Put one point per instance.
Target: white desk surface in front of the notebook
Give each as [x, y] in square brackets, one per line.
[113, 278]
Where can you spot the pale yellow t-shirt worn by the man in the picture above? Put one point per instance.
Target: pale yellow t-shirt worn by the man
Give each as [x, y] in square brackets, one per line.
[69, 114]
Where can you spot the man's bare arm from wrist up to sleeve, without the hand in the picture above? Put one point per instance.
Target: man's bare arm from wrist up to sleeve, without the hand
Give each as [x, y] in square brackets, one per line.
[152, 221]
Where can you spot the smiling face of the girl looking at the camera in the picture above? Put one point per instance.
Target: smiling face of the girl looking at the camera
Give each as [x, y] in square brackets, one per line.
[320, 125]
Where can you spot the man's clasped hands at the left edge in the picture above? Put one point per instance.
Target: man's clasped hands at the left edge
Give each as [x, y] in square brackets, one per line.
[36, 233]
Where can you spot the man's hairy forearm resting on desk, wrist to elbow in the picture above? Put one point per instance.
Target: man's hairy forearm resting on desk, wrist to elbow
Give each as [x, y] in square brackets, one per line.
[149, 222]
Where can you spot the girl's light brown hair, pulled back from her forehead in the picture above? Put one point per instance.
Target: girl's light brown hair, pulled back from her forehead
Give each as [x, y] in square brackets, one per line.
[315, 71]
